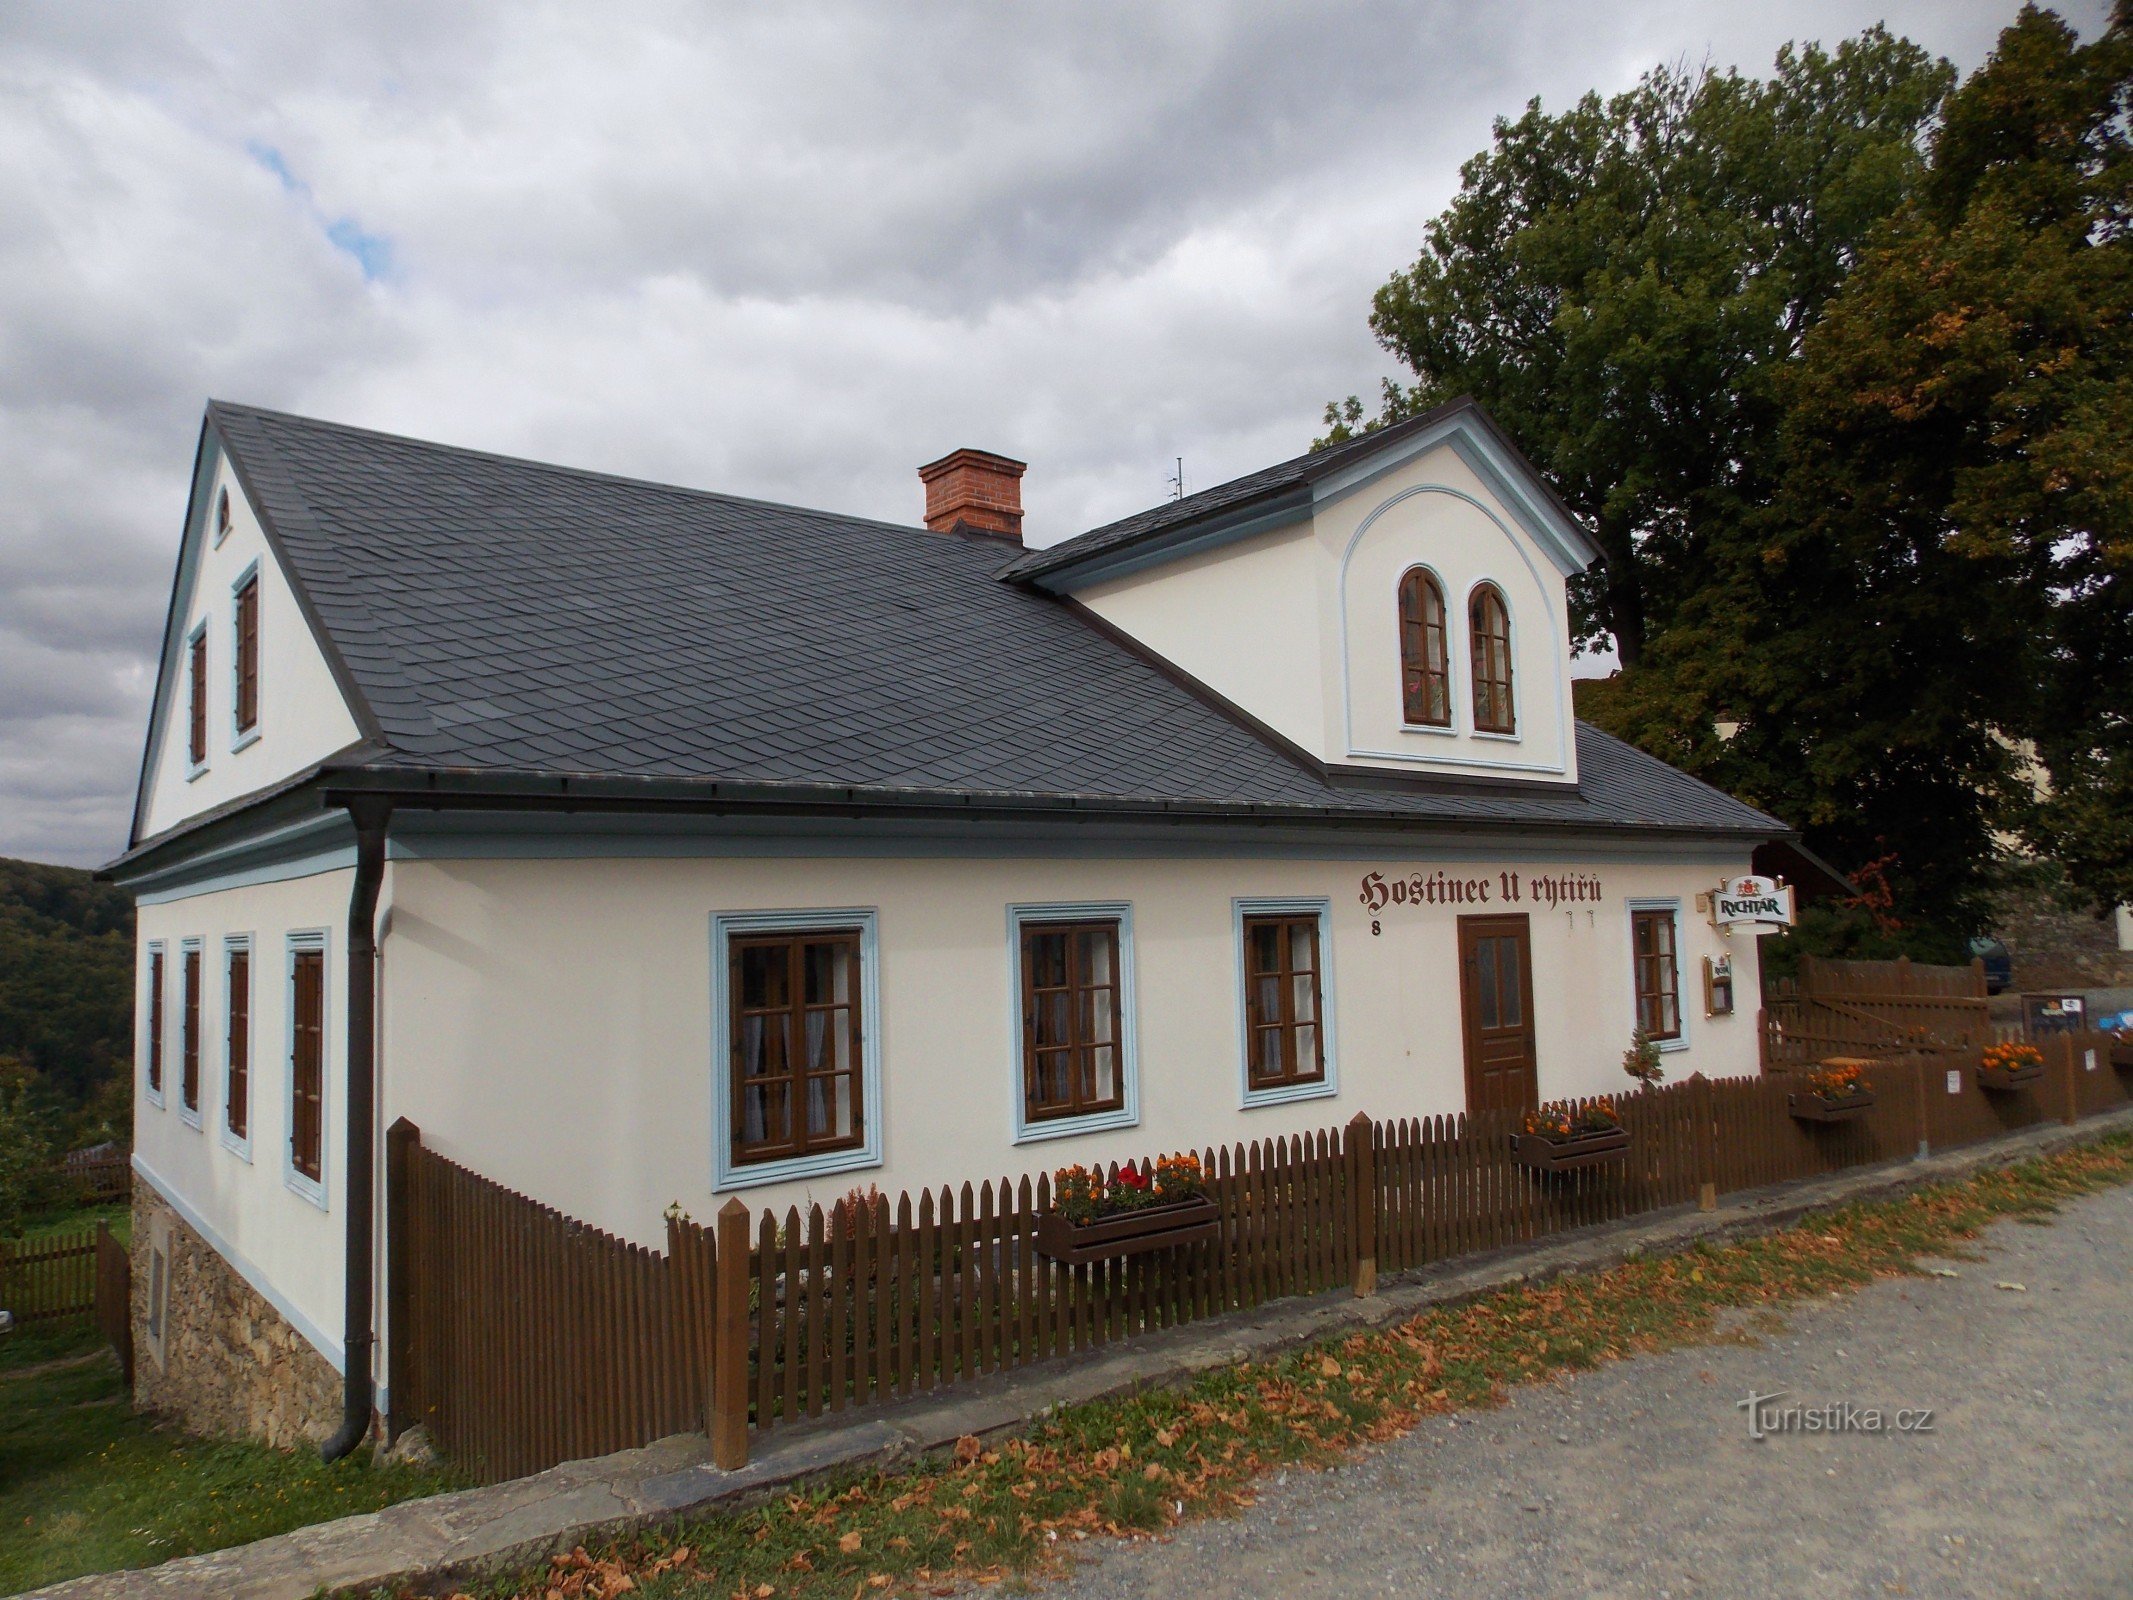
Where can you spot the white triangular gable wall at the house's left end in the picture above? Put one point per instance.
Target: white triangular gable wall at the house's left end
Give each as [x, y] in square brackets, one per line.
[304, 718]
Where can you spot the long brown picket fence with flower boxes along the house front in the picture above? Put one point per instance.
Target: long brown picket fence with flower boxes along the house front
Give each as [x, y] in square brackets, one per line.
[524, 1339]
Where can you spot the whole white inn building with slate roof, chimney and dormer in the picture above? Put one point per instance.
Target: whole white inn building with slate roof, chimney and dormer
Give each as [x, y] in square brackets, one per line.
[647, 846]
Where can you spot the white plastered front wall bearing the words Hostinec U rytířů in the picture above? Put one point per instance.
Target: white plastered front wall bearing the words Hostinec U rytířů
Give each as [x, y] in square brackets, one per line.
[549, 1023]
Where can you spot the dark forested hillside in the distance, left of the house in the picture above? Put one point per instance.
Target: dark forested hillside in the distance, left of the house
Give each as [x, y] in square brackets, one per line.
[67, 985]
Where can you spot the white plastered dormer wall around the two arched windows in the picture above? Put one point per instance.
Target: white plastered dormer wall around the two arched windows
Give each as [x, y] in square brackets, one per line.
[1302, 626]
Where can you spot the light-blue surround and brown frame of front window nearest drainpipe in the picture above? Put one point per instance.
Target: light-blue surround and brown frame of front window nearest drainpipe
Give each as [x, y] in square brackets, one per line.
[731, 1170]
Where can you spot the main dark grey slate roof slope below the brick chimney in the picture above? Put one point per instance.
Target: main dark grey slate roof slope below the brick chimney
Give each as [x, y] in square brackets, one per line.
[509, 618]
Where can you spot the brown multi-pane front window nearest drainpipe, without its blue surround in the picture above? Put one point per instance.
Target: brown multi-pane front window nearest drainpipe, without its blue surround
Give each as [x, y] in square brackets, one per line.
[797, 1059]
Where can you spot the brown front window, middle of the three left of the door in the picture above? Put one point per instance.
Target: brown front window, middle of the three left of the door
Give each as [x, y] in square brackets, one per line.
[1072, 1021]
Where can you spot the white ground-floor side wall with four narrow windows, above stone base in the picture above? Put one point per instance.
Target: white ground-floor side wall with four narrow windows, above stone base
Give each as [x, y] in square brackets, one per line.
[285, 1243]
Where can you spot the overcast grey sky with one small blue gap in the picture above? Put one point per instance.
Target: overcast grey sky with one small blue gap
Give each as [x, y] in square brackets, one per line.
[777, 251]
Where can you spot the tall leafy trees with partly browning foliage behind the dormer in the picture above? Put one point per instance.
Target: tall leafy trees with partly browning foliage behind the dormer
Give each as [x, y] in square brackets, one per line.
[1897, 556]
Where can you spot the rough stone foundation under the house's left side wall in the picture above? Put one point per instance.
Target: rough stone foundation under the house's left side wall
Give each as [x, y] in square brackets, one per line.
[231, 1364]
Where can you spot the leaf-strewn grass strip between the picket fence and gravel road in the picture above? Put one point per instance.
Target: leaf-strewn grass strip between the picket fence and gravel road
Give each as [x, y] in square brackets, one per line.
[1138, 1467]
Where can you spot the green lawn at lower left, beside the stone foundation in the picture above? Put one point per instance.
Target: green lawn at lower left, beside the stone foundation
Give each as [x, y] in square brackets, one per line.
[86, 1486]
